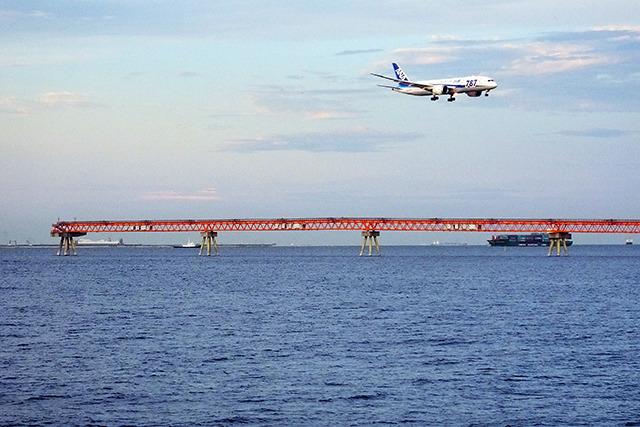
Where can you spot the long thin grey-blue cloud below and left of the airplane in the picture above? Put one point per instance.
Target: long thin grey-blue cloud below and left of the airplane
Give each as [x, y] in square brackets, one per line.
[341, 141]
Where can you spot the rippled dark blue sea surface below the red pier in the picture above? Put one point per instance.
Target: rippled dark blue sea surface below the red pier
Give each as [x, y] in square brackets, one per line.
[431, 335]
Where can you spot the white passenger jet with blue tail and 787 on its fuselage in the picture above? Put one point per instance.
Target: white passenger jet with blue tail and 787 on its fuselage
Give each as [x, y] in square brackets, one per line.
[473, 86]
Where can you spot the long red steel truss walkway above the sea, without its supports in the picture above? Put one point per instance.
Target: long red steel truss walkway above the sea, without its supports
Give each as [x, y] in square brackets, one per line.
[380, 224]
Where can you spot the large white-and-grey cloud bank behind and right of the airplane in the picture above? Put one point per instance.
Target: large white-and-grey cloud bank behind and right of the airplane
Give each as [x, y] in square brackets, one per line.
[539, 55]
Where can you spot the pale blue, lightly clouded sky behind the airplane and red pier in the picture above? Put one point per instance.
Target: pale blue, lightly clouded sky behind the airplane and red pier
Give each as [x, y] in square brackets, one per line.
[114, 110]
